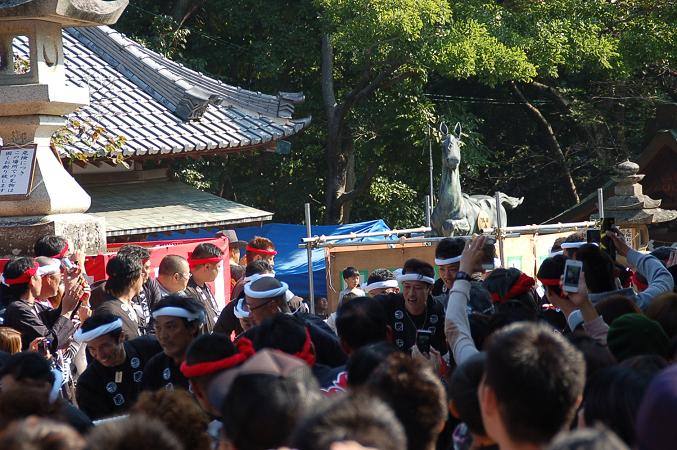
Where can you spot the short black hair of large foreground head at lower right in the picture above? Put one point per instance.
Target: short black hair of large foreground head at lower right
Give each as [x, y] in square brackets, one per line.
[537, 378]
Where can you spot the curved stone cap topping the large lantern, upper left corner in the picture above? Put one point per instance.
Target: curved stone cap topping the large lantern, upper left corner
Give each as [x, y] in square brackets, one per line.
[76, 13]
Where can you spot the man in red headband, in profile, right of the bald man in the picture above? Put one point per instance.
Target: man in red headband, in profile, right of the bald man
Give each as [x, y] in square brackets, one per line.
[204, 263]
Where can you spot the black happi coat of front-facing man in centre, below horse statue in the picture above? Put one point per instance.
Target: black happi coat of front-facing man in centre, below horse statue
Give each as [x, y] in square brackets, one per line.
[404, 325]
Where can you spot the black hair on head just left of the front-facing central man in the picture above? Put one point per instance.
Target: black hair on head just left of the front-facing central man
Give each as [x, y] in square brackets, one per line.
[361, 321]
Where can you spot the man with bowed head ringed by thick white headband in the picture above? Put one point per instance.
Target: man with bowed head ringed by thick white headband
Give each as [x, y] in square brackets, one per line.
[265, 299]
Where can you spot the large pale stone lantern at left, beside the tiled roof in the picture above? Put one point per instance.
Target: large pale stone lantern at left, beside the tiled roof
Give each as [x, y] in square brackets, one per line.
[34, 98]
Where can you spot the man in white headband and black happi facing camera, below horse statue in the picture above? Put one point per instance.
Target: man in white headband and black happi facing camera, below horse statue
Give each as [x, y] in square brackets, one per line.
[416, 309]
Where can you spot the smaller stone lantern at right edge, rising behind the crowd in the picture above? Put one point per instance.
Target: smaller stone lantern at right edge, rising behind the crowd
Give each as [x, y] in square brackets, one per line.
[632, 210]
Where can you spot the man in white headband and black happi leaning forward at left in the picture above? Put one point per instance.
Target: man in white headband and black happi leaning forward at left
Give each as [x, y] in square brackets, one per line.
[114, 378]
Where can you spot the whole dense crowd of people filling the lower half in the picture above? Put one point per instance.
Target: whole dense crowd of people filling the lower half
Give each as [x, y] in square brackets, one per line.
[474, 359]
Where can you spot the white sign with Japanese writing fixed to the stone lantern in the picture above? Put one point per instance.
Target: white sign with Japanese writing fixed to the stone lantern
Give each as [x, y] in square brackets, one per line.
[17, 165]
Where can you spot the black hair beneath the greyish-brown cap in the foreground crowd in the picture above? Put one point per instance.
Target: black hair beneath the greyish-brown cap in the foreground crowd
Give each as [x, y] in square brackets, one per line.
[252, 427]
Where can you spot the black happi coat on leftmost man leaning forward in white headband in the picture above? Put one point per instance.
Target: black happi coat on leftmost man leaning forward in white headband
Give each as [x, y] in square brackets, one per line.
[97, 392]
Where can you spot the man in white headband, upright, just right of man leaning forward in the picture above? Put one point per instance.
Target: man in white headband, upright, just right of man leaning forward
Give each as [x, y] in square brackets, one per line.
[178, 320]
